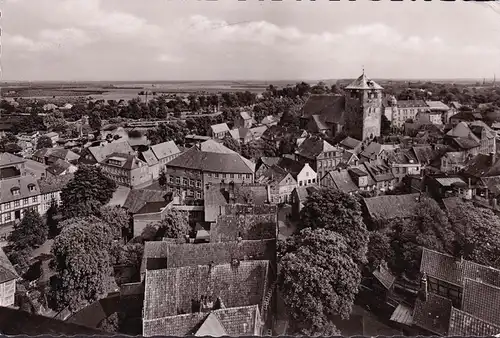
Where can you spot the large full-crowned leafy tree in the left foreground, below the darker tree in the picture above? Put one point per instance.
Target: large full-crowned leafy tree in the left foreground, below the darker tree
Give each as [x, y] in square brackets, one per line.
[82, 264]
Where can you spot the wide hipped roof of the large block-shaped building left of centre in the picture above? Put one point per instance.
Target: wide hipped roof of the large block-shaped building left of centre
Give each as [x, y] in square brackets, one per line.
[228, 162]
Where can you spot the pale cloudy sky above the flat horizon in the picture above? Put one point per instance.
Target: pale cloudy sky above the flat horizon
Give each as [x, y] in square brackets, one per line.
[172, 40]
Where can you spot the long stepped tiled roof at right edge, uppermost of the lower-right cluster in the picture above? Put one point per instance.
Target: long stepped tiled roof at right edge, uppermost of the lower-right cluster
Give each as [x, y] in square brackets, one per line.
[446, 268]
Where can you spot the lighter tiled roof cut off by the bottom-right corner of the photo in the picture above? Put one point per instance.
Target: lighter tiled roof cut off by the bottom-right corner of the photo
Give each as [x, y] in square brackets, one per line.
[465, 324]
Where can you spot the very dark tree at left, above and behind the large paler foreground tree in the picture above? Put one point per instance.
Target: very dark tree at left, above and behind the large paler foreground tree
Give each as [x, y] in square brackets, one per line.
[86, 192]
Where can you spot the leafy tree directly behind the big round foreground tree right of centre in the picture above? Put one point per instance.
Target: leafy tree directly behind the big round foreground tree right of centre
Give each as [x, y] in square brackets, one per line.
[340, 212]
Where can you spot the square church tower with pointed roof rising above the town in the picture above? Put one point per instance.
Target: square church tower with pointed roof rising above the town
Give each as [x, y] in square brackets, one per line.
[363, 108]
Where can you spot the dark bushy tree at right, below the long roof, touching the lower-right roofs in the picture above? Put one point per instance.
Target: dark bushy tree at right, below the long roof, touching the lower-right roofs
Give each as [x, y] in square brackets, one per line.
[429, 228]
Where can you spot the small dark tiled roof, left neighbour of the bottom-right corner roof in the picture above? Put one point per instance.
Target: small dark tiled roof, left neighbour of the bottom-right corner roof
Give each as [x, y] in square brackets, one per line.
[434, 314]
